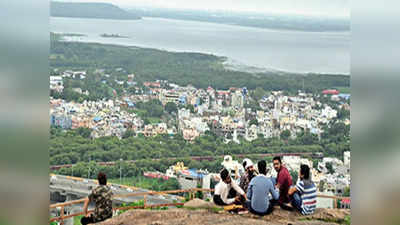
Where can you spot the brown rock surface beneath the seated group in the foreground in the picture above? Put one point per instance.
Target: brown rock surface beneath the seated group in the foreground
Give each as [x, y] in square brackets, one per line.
[207, 217]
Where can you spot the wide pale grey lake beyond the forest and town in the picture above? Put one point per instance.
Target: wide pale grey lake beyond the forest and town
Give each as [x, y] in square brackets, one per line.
[294, 51]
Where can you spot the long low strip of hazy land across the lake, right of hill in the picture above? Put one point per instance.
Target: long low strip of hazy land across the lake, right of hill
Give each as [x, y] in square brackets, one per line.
[252, 19]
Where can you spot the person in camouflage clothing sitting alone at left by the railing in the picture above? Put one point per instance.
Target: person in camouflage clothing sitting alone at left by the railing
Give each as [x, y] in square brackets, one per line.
[101, 196]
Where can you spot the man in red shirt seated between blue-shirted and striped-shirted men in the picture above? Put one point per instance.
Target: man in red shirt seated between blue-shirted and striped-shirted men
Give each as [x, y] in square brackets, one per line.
[283, 181]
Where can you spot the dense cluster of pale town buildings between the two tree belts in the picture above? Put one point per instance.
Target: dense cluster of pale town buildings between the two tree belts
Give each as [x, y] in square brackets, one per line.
[222, 112]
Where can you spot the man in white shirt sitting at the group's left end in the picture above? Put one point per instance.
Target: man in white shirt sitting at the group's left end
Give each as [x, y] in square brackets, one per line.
[226, 191]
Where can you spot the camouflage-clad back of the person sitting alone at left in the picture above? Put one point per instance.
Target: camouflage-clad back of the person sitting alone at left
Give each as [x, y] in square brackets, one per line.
[102, 196]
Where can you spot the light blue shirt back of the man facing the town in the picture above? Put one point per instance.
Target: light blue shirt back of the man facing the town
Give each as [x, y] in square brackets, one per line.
[259, 188]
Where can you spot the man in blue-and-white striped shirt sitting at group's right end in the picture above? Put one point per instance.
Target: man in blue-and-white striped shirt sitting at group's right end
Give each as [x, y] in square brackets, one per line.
[304, 194]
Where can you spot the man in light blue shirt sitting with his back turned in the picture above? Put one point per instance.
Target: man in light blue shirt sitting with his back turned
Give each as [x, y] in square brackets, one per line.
[258, 192]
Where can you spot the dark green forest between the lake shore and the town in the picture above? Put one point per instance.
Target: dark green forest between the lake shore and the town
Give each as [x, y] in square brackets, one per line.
[200, 70]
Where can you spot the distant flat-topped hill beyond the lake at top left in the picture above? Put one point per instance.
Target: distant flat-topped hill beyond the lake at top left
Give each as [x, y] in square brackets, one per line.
[90, 10]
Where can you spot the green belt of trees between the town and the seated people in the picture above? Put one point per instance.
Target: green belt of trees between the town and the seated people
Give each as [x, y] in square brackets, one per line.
[75, 146]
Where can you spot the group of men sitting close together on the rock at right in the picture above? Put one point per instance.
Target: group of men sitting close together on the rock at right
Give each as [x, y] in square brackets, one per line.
[259, 193]
